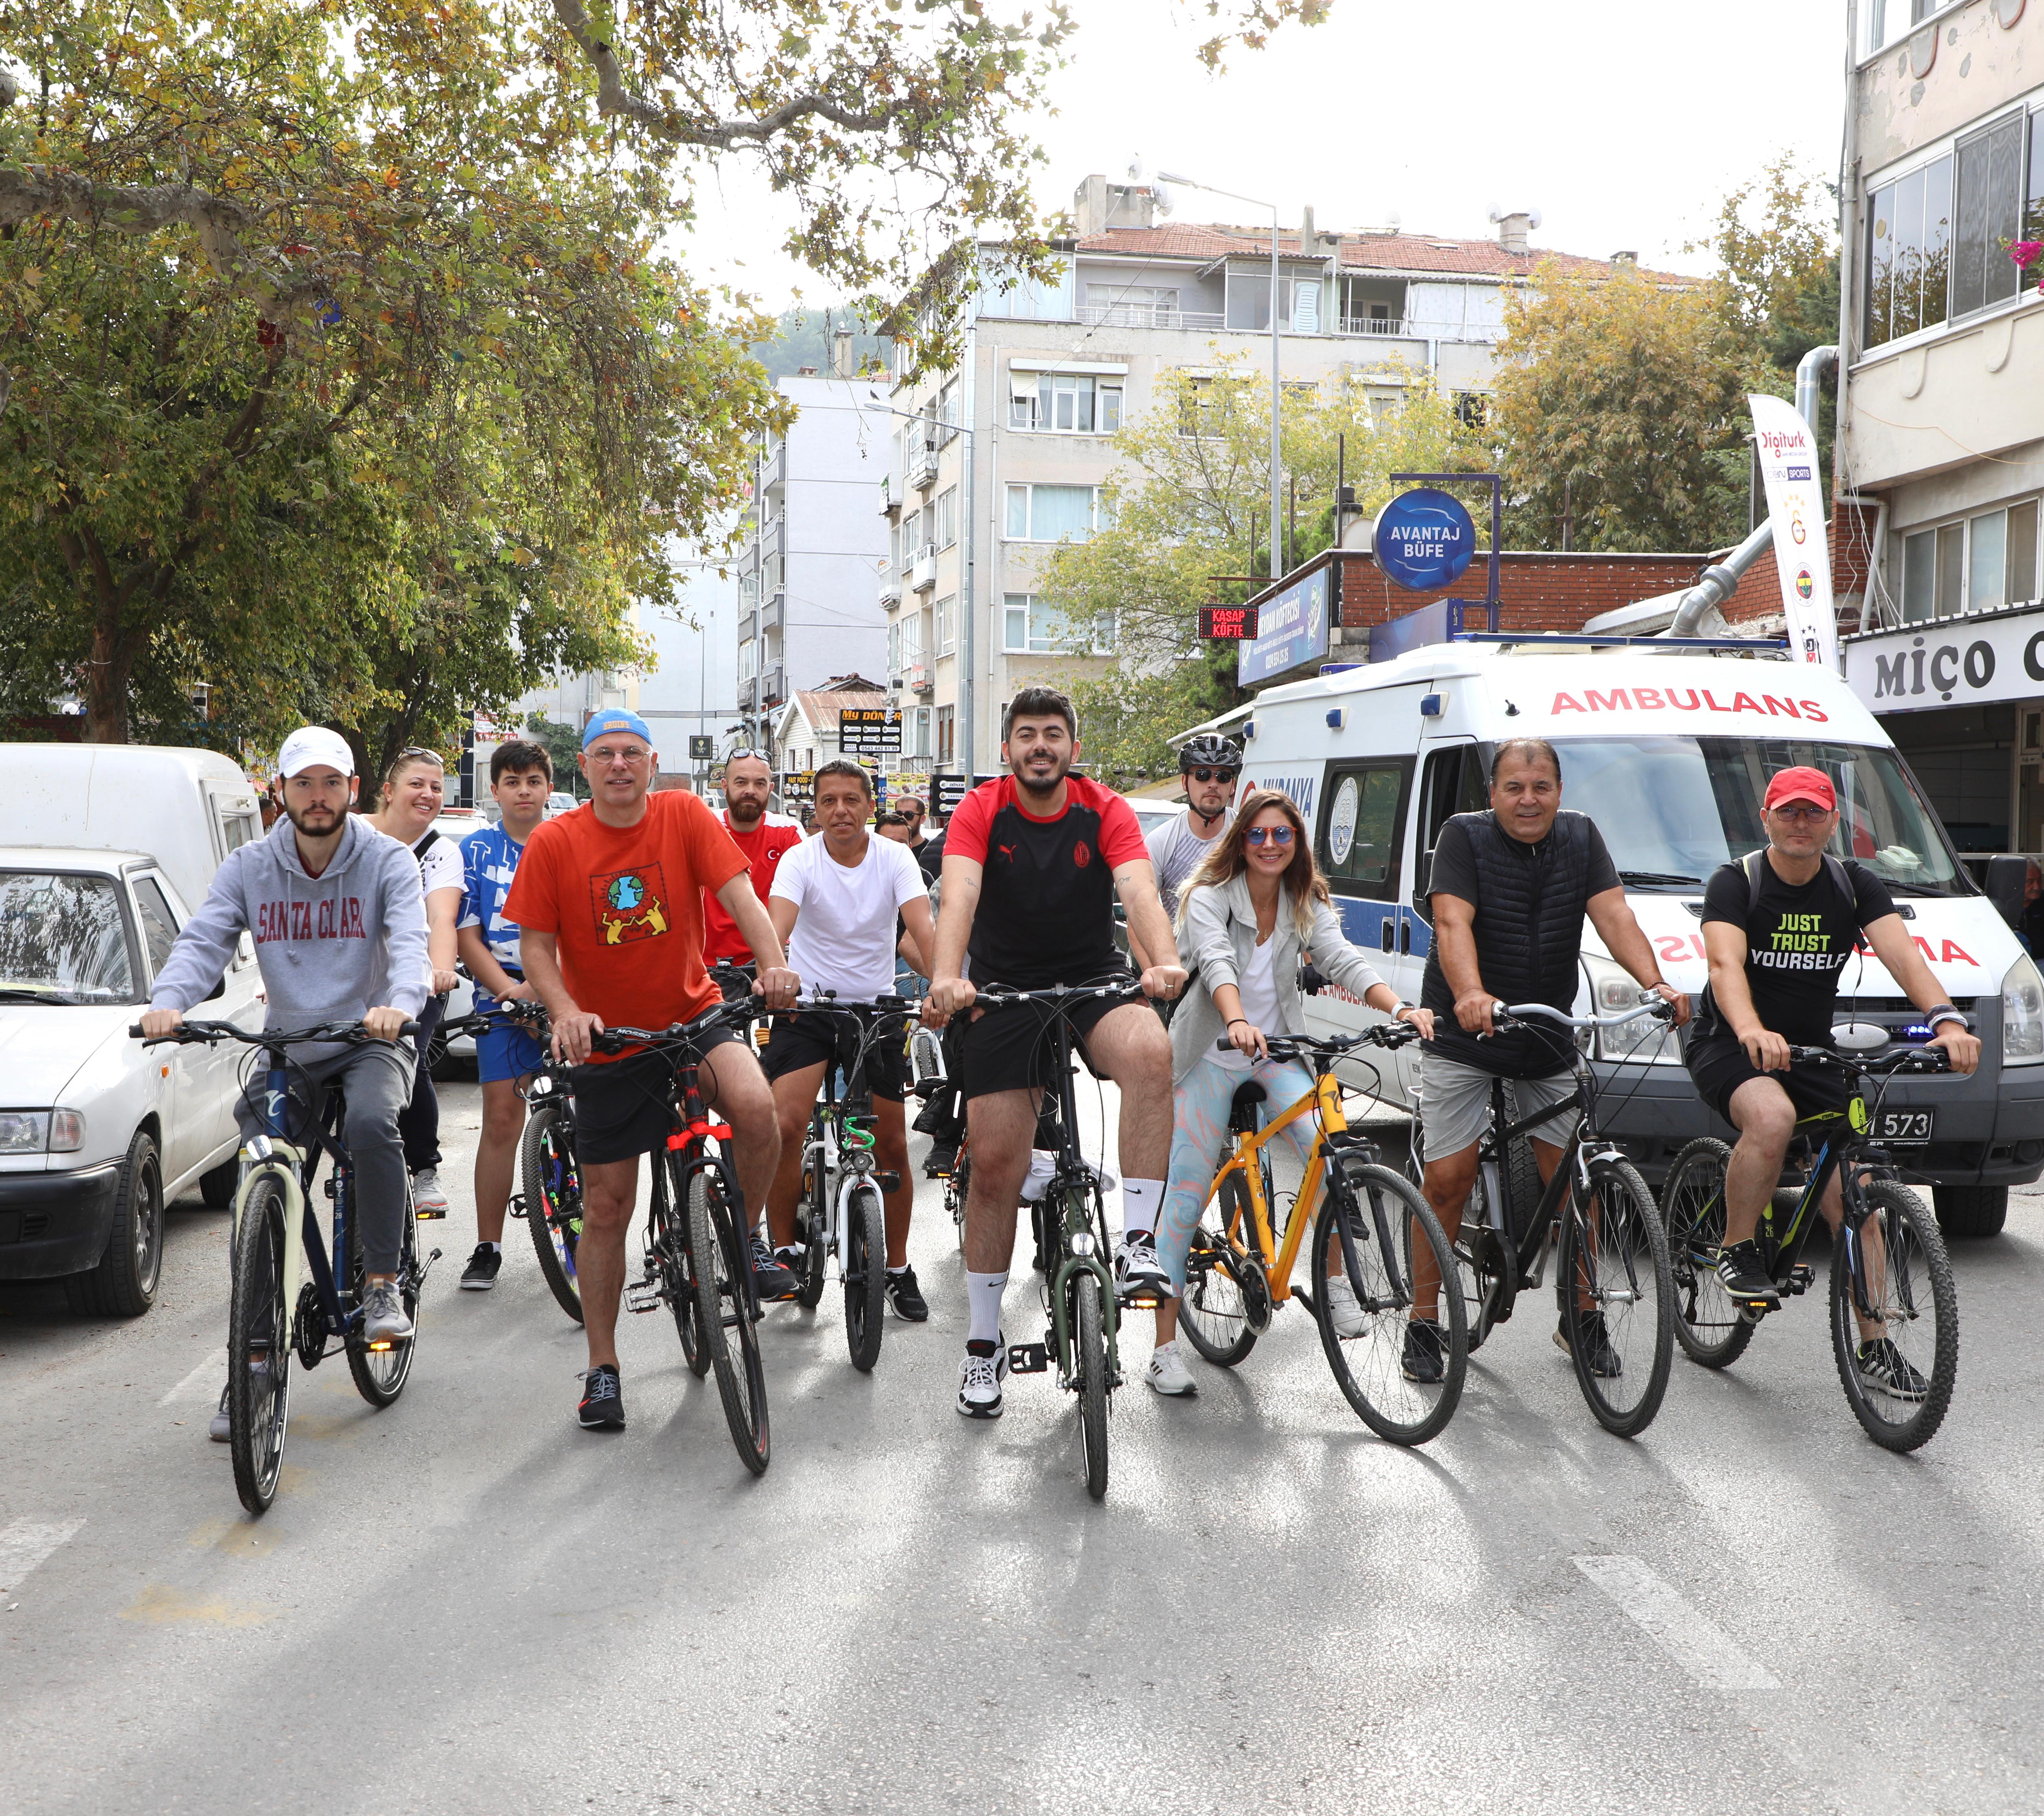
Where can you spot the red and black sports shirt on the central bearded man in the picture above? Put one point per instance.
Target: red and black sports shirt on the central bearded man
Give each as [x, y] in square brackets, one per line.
[1048, 890]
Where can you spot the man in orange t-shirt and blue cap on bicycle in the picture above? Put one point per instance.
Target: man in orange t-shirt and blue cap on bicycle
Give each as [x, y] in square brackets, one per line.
[610, 912]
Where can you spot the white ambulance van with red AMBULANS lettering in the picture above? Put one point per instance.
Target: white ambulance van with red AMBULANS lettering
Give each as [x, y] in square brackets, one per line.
[1669, 751]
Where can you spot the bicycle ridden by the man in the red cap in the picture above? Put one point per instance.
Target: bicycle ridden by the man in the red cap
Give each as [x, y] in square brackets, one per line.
[1877, 1282]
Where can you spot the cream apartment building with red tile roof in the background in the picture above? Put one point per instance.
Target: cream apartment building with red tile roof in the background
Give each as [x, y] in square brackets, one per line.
[1005, 457]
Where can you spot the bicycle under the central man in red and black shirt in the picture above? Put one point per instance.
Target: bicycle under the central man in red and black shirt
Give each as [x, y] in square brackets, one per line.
[1078, 1290]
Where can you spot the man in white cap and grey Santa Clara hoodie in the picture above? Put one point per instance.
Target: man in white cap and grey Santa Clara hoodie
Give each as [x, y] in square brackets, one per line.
[340, 937]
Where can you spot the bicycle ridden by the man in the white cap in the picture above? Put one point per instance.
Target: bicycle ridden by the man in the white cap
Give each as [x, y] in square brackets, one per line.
[273, 1312]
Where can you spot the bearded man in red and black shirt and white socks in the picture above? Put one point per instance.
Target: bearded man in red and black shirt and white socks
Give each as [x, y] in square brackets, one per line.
[1033, 863]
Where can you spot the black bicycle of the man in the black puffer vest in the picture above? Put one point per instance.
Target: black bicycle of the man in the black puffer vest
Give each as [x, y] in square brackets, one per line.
[1601, 1223]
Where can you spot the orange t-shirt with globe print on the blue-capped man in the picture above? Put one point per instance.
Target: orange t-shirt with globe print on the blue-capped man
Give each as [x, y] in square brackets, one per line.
[626, 906]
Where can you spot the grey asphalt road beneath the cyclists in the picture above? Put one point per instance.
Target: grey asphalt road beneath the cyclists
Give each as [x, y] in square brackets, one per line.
[469, 1605]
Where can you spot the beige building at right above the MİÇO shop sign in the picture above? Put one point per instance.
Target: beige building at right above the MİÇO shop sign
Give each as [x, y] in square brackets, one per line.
[1943, 399]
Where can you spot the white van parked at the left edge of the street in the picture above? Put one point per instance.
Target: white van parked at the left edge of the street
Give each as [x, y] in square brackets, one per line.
[107, 853]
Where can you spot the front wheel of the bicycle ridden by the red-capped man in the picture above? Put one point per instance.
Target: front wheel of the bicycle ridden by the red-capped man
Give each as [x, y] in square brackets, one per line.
[1900, 1400]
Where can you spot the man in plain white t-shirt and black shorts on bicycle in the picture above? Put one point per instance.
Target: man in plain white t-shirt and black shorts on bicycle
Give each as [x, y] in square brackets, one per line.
[835, 904]
